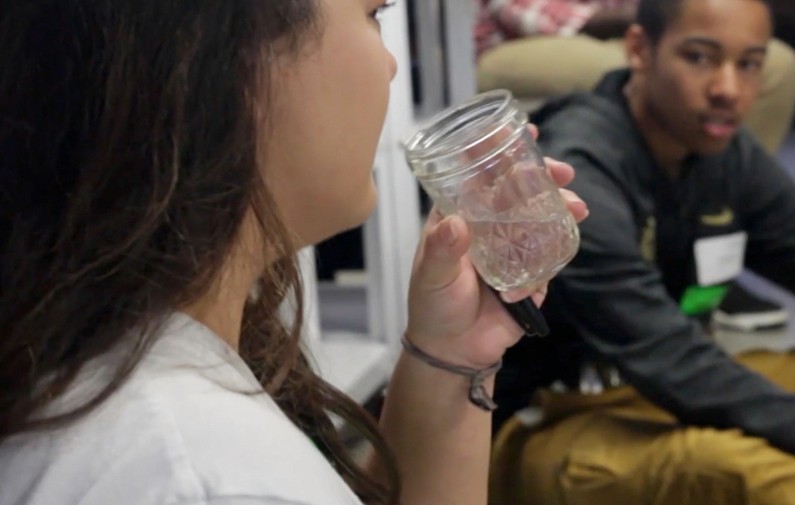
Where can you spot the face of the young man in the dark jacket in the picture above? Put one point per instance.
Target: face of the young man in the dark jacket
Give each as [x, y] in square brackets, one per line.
[705, 72]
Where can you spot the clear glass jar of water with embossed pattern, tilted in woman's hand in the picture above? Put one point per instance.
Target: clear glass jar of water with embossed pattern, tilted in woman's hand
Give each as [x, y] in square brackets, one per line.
[479, 161]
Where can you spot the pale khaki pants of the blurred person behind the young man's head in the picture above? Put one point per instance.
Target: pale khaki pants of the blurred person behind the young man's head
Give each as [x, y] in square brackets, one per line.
[538, 68]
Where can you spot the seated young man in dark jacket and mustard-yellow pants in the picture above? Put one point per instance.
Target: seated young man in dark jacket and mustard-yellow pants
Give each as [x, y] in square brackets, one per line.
[637, 402]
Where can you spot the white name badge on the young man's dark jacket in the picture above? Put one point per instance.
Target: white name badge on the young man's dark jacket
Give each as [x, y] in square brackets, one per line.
[720, 259]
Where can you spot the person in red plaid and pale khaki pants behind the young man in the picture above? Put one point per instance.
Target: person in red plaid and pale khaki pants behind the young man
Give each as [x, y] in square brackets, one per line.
[540, 49]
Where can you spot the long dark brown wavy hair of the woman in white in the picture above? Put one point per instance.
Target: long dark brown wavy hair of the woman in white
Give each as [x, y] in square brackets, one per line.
[130, 134]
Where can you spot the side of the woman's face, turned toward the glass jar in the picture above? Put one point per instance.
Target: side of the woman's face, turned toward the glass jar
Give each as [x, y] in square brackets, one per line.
[329, 107]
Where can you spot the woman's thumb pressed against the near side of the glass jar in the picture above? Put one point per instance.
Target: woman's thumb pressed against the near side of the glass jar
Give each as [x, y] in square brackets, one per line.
[440, 256]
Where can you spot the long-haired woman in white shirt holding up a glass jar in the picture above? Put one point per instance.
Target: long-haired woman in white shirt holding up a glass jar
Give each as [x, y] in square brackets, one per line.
[160, 163]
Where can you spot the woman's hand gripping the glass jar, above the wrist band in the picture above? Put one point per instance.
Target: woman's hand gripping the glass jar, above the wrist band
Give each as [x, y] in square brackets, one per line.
[452, 315]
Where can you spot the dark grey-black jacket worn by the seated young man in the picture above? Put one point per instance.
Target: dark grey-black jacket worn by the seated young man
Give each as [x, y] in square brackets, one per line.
[618, 301]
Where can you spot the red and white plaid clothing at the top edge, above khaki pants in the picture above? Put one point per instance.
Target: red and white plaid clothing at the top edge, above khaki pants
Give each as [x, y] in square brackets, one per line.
[501, 20]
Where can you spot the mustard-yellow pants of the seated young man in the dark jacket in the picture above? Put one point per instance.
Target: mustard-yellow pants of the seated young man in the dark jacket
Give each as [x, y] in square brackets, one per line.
[618, 449]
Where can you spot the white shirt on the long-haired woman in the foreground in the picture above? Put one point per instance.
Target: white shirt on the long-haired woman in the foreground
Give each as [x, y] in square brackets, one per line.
[179, 432]
